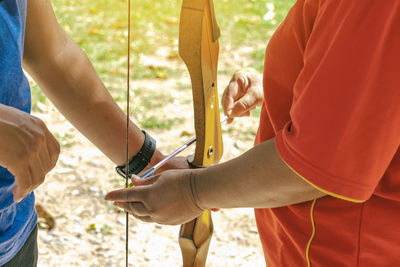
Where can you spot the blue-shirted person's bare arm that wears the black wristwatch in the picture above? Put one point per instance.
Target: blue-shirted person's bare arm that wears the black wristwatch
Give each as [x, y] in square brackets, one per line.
[66, 76]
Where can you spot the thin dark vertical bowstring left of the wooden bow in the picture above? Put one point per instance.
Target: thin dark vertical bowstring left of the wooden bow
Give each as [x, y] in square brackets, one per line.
[127, 131]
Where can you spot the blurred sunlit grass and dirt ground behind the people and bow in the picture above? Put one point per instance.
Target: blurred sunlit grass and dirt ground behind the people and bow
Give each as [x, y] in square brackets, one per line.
[77, 227]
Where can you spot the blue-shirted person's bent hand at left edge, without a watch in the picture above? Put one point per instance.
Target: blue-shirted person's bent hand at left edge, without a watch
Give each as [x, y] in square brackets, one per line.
[27, 149]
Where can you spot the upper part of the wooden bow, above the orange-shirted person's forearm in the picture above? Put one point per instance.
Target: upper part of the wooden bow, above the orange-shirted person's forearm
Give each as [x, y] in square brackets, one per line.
[199, 48]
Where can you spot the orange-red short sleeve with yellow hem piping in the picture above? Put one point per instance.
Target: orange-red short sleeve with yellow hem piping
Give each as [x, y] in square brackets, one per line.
[344, 127]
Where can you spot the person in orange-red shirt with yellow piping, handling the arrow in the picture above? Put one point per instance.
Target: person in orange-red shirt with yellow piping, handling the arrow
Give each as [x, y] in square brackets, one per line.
[324, 176]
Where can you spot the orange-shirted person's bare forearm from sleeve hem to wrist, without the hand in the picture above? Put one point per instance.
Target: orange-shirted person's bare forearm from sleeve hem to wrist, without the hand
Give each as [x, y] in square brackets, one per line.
[257, 179]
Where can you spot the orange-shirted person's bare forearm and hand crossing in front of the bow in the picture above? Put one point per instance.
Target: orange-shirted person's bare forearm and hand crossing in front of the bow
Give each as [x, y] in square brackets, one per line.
[257, 179]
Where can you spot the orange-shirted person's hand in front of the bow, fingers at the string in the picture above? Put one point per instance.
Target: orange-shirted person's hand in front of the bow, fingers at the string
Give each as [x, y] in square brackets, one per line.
[165, 198]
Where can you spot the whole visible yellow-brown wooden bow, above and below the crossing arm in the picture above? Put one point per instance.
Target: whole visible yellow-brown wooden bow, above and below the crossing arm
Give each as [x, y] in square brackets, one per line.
[199, 48]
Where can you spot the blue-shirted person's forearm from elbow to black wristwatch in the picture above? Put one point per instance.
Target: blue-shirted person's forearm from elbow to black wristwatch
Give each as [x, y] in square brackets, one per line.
[71, 83]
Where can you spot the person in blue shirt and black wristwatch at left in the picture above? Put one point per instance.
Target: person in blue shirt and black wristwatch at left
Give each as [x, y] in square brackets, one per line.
[31, 37]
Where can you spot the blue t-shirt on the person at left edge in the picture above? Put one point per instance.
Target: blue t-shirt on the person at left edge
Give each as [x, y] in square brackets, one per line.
[16, 220]
